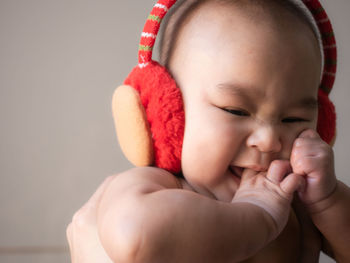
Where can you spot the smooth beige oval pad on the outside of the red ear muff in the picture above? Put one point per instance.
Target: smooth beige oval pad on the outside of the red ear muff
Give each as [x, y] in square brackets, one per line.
[131, 126]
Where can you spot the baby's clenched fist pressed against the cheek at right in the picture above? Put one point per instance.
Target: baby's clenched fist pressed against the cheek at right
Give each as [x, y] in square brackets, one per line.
[312, 158]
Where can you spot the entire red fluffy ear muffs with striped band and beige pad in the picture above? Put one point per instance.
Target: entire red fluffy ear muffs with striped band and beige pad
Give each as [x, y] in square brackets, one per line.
[150, 122]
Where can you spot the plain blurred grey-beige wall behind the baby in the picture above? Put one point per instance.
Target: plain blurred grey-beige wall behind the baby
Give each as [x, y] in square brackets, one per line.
[60, 62]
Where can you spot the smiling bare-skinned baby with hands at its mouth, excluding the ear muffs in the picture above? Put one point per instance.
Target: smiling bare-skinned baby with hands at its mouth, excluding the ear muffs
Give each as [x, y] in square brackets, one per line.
[258, 181]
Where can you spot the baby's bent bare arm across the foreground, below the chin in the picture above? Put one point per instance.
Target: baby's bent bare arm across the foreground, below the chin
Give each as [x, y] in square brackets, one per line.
[144, 217]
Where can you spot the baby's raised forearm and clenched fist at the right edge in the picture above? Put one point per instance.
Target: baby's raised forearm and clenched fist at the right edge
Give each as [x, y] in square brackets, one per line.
[326, 199]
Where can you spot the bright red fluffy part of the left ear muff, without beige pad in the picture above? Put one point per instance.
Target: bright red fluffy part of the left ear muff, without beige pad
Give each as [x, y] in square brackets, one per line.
[163, 104]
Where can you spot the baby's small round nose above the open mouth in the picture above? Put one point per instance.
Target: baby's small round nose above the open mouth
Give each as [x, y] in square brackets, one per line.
[266, 138]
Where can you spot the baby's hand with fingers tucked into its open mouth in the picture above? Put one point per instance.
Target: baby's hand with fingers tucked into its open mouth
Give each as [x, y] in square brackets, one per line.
[272, 191]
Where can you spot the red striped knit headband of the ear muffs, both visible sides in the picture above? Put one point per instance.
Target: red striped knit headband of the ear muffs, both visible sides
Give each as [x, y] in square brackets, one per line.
[324, 25]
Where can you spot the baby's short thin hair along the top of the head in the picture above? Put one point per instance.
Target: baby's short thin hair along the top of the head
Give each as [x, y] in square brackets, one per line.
[183, 10]
